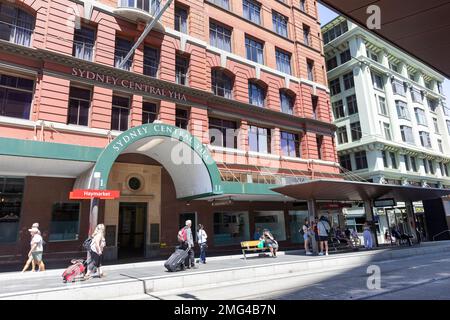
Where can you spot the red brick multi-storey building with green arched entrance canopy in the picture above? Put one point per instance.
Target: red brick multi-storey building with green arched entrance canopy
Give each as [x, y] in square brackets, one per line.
[252, 70]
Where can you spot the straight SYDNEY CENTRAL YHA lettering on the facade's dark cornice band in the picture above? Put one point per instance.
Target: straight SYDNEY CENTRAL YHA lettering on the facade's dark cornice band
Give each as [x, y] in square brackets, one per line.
[128, 84]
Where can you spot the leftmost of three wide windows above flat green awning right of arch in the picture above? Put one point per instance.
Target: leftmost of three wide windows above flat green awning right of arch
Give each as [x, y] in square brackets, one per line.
[223, 133]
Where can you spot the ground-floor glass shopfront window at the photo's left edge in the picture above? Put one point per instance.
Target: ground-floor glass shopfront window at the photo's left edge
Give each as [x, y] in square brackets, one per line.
[11, 192]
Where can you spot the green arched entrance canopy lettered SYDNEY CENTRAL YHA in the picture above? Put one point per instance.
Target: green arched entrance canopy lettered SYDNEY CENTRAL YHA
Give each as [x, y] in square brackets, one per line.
[189, 163]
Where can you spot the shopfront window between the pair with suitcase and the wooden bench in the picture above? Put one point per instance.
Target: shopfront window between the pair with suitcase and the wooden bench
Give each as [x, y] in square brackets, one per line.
[230, 228]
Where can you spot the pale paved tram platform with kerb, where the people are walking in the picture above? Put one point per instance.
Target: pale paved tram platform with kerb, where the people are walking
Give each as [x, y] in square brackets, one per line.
[147, 277]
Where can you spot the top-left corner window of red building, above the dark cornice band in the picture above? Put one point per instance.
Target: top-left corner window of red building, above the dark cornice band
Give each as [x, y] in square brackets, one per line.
[16, 25]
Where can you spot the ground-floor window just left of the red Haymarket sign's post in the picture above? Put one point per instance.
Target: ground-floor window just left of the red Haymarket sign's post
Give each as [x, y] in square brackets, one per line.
[65, 222]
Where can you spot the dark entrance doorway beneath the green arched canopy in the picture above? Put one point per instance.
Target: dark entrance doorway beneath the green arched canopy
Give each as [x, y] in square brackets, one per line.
[131, 235]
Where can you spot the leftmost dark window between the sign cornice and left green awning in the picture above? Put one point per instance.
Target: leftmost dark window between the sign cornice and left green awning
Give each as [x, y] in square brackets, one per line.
[16, 95]
